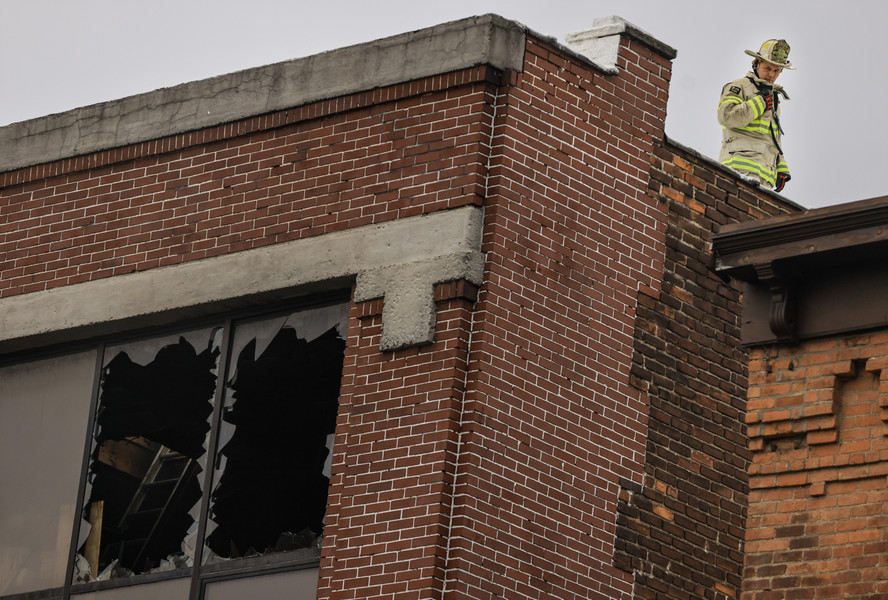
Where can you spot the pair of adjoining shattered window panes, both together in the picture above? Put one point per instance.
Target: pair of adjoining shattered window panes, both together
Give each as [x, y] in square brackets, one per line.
[163, 455]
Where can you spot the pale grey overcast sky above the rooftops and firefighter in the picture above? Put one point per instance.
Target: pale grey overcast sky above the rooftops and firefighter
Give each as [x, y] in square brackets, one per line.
[56, 55]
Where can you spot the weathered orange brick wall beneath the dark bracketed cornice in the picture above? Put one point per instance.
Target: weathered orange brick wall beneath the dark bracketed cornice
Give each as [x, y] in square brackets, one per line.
[818, 507]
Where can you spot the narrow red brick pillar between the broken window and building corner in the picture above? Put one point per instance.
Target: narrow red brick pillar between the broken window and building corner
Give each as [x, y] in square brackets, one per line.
[393, 471]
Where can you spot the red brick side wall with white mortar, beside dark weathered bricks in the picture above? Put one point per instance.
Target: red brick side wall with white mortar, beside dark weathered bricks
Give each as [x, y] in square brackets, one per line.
[550, 422]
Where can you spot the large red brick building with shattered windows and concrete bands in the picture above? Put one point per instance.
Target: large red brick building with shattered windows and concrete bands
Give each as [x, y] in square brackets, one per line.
[429, 317]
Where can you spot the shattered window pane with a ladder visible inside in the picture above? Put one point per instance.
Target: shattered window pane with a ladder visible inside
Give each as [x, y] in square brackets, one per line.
[150, 436]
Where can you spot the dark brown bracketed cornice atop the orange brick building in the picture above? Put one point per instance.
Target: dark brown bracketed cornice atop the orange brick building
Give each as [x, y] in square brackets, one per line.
[810, 274]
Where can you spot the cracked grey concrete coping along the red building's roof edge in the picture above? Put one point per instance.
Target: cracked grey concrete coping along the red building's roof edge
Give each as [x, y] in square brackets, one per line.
[489, 40]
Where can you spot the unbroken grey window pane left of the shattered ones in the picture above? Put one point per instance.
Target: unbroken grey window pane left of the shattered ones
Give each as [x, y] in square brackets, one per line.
[44, 409]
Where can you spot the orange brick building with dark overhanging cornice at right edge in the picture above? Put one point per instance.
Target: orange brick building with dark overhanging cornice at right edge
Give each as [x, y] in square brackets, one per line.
[815, 323]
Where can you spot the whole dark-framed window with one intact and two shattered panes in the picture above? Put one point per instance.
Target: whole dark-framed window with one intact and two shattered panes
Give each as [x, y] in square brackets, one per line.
[205, 447]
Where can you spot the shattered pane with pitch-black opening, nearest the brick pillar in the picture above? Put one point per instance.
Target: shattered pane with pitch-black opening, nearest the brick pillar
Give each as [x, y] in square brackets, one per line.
[281, 401]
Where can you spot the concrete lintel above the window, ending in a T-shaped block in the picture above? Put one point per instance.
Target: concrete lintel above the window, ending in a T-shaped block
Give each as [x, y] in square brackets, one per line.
[400, 261]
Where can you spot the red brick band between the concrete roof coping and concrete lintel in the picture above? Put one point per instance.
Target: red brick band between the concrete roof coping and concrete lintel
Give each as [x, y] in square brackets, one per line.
[292, 174]
